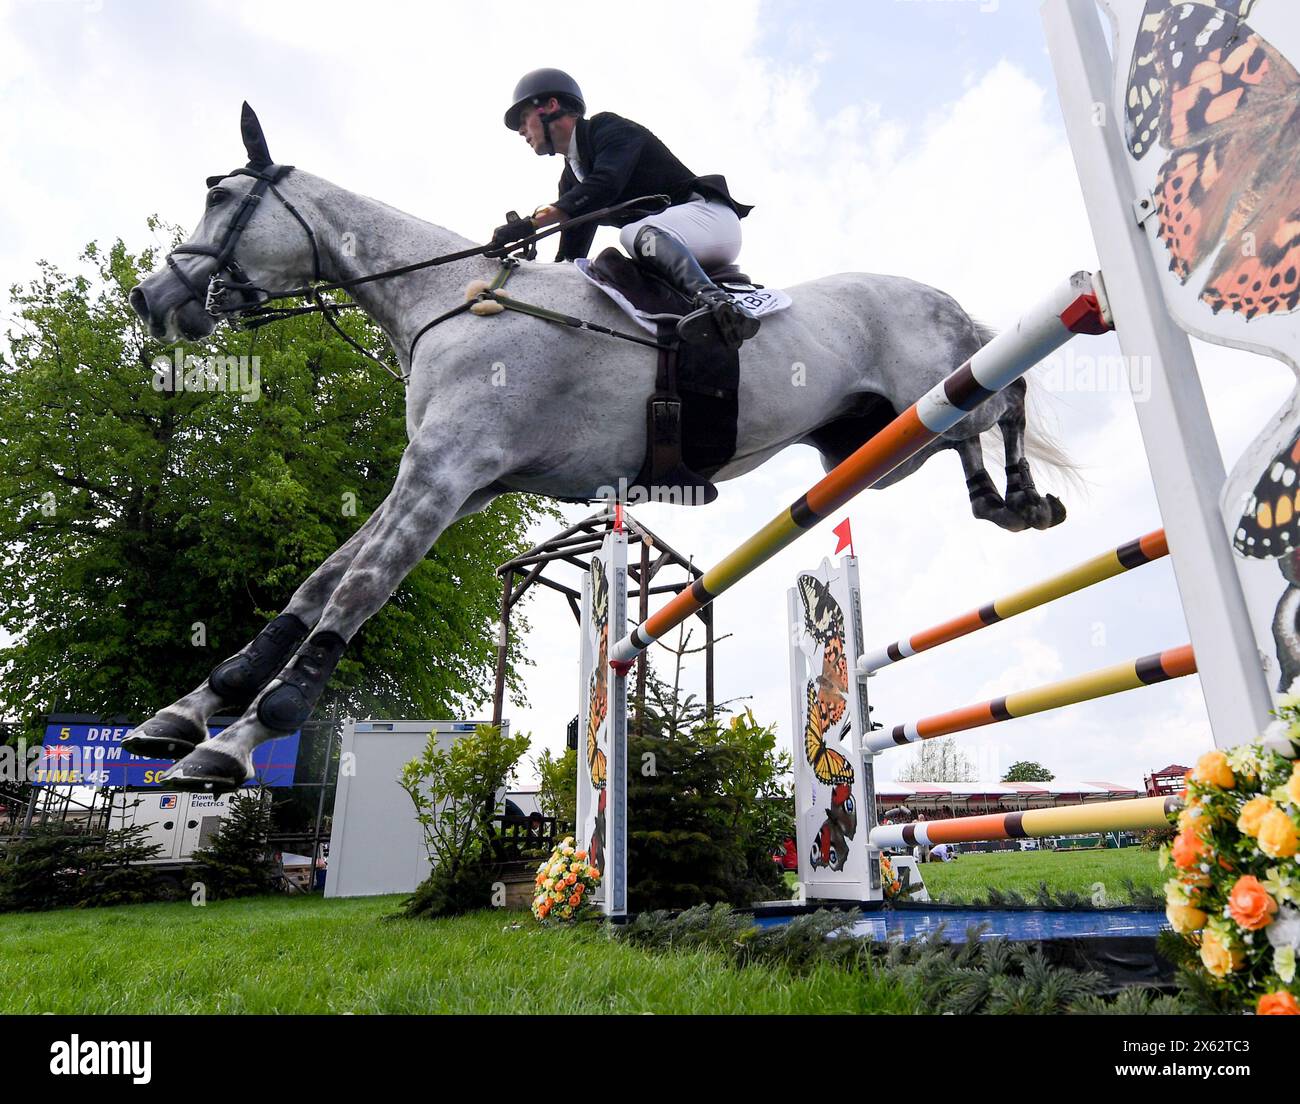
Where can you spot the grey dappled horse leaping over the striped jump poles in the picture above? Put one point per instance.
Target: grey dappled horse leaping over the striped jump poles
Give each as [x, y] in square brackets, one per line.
[510, 402]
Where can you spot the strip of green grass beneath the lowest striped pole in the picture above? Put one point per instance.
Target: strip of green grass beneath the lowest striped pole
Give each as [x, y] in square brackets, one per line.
[1080, 872]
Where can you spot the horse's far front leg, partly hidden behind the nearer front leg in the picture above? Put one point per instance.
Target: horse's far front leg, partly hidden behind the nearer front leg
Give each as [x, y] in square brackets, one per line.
[233, 685]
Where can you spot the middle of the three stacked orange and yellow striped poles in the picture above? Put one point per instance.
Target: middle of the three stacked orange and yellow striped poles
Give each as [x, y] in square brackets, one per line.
[1175, 664]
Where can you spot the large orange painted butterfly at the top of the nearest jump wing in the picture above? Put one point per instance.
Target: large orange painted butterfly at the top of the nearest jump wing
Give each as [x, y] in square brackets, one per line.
[1225, 107]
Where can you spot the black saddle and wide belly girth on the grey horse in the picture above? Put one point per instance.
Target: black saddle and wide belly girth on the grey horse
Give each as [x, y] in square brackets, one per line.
[692, 414]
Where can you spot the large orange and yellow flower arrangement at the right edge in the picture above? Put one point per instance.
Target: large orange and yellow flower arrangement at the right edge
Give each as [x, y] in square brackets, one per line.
[1236, 887]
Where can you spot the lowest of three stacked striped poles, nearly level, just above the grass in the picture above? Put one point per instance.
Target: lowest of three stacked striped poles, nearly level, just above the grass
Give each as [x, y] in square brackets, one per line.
[1133, 816]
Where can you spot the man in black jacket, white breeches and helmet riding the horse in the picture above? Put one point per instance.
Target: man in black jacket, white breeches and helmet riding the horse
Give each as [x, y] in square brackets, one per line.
[609, 161]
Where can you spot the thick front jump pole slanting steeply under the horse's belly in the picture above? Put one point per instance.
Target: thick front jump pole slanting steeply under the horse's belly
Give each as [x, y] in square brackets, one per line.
[1077, 306]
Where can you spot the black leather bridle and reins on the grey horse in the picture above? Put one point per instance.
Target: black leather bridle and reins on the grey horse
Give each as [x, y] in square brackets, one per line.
[253, 311]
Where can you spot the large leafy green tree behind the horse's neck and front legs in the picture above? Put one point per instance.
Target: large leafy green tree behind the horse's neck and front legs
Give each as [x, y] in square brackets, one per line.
[154, 532]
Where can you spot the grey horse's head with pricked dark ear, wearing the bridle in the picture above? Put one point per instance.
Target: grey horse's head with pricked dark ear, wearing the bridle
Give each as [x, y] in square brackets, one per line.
[244, 252]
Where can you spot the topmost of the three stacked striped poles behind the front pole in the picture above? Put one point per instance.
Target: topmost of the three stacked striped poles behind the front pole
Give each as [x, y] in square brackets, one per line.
[1107, 566]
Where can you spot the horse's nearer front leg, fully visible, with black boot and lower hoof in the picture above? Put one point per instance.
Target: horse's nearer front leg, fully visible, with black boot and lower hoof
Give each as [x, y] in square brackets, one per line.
[436, 478]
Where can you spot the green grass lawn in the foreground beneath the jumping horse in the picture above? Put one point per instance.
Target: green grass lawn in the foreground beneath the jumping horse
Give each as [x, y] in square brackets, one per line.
[309, 955]
